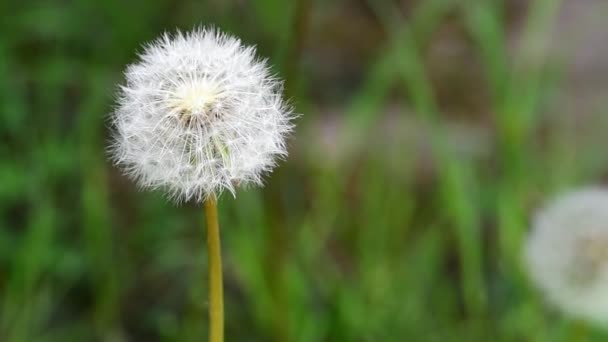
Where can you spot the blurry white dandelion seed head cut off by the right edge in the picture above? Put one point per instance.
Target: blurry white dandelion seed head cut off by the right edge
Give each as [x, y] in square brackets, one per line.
[567, 254]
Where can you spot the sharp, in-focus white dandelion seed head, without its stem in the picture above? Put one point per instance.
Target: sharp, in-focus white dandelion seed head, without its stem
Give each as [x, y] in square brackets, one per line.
[199, 114]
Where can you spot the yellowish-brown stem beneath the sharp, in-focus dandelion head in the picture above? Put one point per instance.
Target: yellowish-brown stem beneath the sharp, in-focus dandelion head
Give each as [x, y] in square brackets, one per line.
[216, 295]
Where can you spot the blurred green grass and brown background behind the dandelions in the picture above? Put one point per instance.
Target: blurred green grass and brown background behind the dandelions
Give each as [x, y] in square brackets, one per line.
[430, 132]
